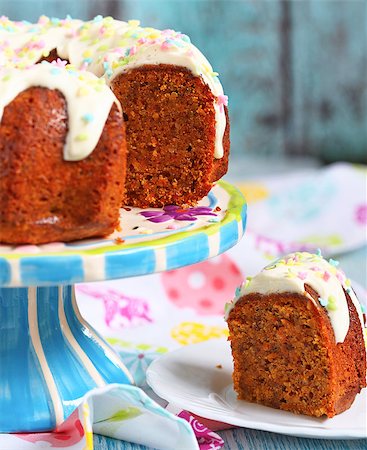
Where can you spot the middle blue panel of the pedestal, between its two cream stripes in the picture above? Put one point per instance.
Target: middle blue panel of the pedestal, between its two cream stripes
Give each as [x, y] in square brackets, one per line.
[52, 338]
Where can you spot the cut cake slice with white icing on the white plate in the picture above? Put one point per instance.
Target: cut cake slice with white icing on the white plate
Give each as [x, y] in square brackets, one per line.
[297, 336]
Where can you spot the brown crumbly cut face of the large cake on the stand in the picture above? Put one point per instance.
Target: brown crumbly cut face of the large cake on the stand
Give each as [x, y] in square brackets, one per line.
[170, 131]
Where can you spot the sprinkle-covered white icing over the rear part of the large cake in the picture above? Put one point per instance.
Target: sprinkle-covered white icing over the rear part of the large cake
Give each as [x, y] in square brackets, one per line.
[107, 47]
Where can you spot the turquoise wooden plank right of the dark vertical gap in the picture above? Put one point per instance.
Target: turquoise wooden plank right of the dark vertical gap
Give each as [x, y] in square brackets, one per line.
[330, 76]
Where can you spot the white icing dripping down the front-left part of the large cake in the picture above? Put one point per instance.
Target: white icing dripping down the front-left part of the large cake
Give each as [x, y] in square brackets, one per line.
[82, 92]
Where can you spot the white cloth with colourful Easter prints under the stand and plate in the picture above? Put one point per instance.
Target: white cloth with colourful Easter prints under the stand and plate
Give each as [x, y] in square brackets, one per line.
[146, 317]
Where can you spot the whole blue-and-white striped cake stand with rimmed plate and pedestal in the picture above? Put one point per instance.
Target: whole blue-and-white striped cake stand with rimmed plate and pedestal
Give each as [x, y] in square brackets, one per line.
[49, 356]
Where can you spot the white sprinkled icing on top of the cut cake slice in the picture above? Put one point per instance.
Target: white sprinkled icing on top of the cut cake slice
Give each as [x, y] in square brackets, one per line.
[292, 272]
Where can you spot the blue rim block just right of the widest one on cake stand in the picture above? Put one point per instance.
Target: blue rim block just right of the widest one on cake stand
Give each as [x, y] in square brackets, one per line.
[130, 263]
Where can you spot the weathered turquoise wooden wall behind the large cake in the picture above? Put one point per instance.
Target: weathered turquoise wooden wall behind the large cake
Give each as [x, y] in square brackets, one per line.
[295, 72]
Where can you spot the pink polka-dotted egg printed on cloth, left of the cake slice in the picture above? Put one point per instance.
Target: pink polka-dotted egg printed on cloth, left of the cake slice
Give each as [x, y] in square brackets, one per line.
[204, 286]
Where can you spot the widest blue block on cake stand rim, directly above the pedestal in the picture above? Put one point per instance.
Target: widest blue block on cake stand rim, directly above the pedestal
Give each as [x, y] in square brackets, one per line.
[57, 270]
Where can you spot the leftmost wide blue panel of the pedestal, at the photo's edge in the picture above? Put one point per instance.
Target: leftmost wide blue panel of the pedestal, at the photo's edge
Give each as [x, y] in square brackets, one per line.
[20, 368]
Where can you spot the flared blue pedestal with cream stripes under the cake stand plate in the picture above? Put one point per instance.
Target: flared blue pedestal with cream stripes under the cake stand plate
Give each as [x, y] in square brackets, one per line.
[50, 357]
